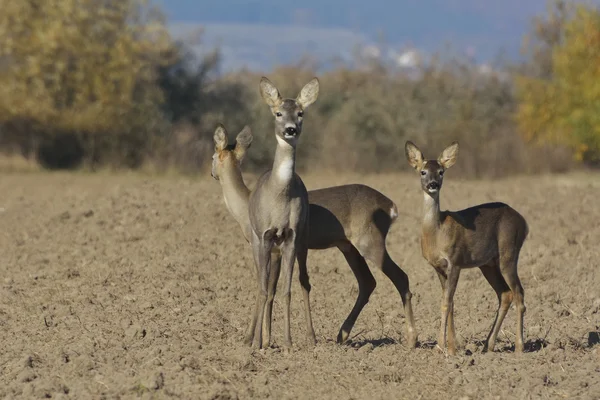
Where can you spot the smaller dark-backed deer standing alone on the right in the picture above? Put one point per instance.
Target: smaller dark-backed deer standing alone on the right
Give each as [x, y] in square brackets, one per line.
[488, 236]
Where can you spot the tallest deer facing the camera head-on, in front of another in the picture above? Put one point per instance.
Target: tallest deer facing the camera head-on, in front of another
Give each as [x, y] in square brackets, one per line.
[278, 209]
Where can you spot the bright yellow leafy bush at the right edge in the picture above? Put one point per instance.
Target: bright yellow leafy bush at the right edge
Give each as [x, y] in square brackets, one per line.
[565, 108]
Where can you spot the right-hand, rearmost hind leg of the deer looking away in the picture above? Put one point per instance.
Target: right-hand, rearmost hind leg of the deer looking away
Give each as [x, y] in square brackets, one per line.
[378, 254]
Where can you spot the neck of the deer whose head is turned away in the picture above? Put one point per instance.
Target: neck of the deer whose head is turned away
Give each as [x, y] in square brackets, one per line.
[236, 195]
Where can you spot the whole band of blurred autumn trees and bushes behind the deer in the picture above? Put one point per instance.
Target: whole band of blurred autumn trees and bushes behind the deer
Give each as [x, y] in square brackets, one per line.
[95, 83]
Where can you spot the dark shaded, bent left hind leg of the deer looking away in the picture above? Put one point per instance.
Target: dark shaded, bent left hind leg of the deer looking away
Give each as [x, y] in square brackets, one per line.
[366, 286]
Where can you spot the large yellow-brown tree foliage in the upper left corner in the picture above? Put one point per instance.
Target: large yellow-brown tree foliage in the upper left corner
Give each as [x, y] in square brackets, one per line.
[75, 64]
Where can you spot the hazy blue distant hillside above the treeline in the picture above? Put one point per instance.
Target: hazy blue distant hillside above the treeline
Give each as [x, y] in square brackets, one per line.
[260, 33]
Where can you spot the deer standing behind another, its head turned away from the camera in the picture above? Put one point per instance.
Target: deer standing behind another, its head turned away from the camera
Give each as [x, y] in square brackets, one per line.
[353, 218]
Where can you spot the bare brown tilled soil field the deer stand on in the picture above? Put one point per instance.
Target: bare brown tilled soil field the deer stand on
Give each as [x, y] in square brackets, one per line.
[128, 286]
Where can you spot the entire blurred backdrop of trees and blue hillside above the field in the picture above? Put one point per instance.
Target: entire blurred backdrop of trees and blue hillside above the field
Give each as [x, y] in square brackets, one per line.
[133, 84]
